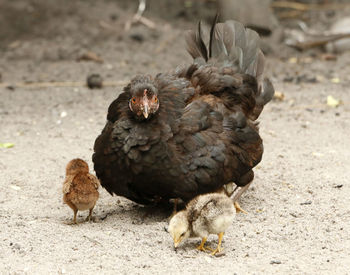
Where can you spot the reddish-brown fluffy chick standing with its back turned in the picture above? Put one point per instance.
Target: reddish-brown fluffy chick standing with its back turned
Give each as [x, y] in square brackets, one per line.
[80, 188]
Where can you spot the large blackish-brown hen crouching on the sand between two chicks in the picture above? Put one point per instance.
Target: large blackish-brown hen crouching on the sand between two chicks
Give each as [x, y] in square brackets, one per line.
[192, 131]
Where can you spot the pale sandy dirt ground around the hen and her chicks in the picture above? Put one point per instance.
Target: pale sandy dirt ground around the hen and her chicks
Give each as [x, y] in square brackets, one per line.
[299, 211]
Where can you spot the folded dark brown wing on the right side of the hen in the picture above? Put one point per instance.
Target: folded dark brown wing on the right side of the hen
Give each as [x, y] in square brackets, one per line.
[218, 146]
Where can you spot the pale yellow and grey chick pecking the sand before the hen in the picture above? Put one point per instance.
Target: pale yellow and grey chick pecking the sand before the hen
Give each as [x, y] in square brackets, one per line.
[206, 214]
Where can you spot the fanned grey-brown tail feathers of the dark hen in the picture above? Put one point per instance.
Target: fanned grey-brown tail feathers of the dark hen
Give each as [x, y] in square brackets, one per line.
[233, 45]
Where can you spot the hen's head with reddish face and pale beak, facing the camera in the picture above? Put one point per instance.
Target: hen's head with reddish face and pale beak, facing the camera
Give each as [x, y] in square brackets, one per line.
[144, 100]
